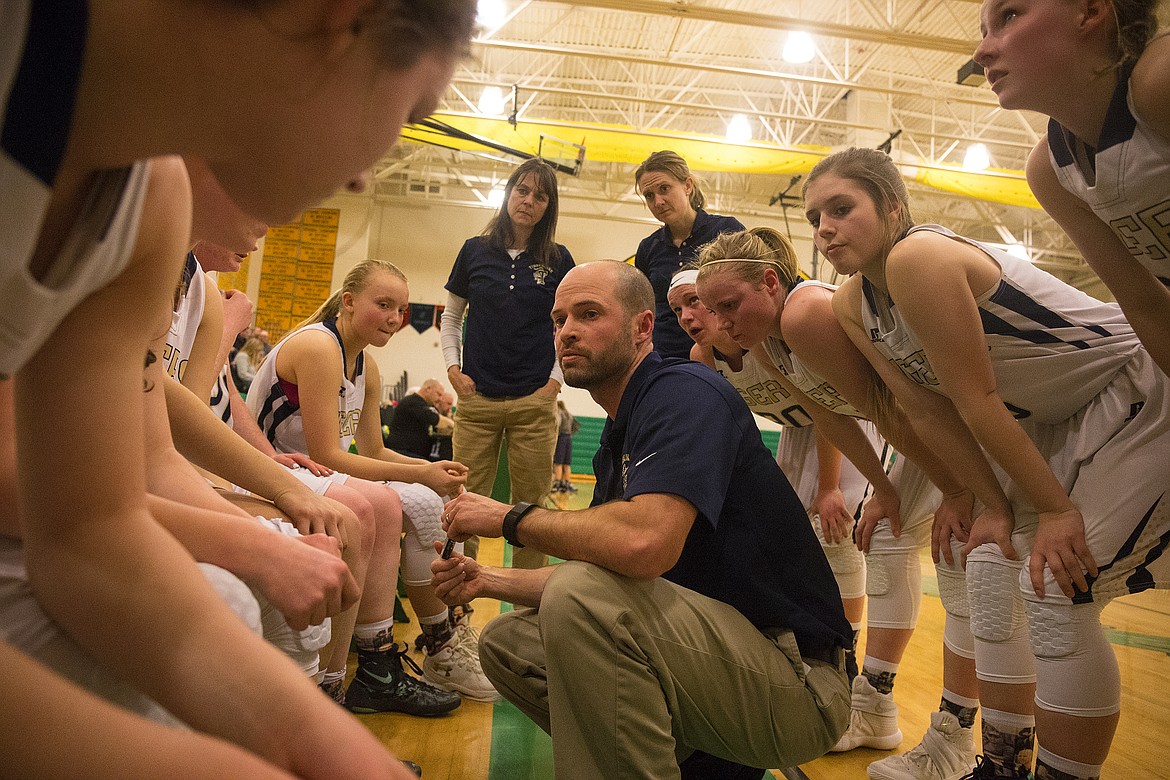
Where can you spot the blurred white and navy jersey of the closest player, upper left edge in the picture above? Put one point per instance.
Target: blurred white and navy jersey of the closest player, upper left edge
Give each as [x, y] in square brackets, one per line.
[102, 238]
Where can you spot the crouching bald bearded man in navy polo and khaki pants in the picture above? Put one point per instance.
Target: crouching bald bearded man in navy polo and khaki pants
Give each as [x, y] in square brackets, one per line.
[696, 611]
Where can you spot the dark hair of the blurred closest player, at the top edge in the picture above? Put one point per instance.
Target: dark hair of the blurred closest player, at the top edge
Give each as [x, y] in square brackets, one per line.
[410, 30]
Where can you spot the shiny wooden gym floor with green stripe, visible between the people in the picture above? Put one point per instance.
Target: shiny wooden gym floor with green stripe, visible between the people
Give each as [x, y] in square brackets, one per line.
[497, 742]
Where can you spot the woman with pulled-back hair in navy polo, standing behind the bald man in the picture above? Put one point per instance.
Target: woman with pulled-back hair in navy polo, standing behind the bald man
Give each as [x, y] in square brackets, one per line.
[675, 198]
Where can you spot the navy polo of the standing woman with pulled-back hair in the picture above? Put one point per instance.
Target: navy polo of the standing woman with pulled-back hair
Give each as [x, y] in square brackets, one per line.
[660, 260]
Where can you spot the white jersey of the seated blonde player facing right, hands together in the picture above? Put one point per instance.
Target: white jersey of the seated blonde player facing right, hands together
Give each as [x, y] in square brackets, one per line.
[277, 404]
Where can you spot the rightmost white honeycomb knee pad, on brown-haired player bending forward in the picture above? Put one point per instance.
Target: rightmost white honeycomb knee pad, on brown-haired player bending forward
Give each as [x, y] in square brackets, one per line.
[1077, 671]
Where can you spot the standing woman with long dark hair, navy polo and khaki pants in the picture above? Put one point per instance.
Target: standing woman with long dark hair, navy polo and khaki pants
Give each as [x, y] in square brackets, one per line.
[507, 376]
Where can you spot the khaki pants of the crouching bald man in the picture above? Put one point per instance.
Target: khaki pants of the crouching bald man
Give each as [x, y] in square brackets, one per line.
[631, 677]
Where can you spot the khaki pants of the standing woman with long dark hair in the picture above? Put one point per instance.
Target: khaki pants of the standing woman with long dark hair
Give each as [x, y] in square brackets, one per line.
[531, 425]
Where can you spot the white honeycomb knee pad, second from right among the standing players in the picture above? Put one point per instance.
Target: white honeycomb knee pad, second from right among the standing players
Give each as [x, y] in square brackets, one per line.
[997, 618]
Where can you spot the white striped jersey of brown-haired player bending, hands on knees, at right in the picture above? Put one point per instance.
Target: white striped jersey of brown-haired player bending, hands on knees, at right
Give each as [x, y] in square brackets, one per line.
[1052, 348]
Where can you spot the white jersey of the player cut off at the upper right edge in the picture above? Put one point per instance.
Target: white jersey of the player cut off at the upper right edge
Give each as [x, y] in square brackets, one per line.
[1126, 181]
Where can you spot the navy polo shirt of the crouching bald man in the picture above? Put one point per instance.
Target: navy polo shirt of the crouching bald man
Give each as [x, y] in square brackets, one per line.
[683, 430]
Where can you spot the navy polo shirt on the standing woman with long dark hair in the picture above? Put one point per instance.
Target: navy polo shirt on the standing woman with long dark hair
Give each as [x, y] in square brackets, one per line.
[508, 350]
